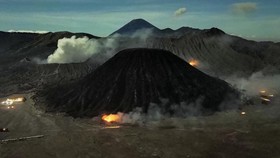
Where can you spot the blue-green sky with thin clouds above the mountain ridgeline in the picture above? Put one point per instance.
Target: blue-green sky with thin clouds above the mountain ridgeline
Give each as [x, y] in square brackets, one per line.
[256, 19]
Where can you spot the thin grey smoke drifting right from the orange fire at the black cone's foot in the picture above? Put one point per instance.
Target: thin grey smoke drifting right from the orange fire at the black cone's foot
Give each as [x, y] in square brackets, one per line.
[156, 114]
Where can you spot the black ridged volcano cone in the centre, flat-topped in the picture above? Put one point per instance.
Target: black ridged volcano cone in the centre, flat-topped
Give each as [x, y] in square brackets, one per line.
[135, 78]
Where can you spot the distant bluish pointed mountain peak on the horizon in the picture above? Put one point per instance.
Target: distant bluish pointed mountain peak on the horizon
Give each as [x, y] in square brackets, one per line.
[135, 25]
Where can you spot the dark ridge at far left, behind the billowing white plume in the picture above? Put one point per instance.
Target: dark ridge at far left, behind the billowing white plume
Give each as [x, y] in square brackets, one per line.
[17, 46]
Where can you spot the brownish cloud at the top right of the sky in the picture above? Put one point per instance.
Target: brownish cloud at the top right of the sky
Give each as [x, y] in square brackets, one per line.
[244, 7]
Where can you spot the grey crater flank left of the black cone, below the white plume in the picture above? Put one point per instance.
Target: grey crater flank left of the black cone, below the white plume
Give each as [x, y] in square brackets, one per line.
[27, 77]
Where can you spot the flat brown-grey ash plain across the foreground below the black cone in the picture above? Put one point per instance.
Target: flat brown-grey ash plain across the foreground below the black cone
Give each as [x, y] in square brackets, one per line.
[226, 135]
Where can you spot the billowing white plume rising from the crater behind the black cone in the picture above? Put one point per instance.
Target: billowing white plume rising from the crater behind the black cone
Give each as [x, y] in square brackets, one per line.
[76, 50]
